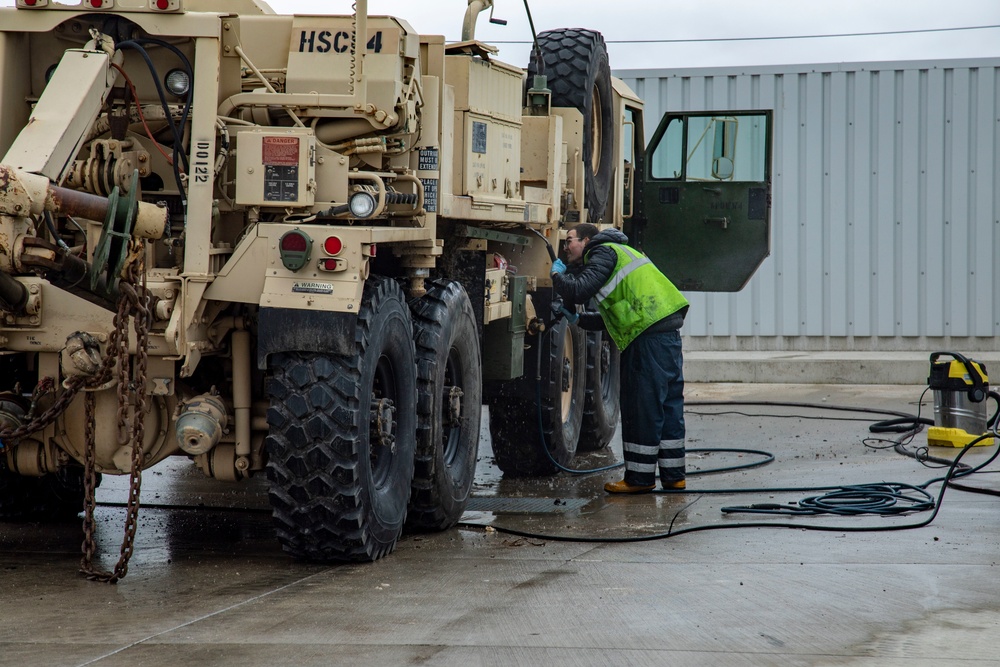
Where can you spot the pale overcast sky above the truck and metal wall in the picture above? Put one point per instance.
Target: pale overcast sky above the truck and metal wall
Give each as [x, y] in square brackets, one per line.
[622, 21]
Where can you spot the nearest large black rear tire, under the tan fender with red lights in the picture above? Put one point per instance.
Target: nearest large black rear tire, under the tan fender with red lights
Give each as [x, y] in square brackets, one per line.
[340, 459]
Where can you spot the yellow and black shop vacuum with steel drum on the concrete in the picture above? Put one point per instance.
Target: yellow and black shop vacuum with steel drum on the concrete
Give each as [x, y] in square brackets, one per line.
[961, 388]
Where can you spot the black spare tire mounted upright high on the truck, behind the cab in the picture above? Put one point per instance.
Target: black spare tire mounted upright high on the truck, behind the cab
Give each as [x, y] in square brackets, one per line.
[576, 64]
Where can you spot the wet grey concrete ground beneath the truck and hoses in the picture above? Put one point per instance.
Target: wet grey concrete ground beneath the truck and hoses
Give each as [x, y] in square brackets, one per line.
[208, 584]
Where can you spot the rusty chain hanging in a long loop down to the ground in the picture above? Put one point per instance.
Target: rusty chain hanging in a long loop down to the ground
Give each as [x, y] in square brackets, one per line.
[134, 300]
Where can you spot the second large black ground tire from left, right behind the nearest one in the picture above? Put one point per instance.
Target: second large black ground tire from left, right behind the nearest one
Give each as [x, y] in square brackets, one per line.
[449, 406]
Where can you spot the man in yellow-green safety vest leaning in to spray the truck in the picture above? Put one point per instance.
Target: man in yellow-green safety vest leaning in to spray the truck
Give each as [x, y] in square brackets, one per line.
[642, 311]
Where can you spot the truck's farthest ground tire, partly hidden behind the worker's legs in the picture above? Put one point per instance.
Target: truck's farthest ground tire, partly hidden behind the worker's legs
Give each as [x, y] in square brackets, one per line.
[601, 408]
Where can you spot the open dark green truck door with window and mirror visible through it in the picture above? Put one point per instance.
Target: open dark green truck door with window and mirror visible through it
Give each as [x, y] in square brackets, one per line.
[704, 198]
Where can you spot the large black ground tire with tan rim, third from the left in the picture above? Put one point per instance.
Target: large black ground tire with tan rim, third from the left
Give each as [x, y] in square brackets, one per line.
[518, 437]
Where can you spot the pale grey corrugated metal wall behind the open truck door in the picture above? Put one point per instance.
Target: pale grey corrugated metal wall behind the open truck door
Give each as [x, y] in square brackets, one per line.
[885, 209]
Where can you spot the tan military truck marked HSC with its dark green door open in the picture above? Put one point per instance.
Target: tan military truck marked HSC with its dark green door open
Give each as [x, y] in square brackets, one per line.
[315, 246]
